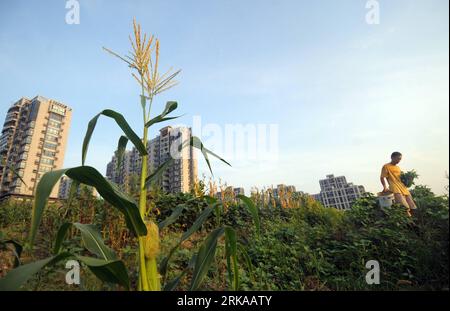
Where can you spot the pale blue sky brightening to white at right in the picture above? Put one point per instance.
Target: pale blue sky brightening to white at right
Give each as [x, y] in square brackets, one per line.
[343, 93]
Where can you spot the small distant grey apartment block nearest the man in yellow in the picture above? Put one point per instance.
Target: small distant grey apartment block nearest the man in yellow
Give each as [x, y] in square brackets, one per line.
[338, 193]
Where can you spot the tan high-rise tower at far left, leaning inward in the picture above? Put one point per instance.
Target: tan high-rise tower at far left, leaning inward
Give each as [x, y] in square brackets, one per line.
[33, 142]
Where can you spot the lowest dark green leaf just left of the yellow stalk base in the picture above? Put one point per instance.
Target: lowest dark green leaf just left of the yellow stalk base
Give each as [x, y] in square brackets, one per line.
[110, 271]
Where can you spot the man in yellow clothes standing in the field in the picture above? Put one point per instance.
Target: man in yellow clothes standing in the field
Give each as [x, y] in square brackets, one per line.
[392, 172]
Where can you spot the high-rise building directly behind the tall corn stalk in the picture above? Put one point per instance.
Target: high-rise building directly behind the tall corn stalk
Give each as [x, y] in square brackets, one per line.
[180, 176]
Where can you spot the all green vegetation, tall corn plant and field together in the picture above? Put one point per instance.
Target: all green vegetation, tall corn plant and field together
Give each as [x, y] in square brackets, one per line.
[143, 239]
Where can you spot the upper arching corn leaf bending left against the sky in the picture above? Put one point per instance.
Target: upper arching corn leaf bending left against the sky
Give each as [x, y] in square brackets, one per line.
[122, 123]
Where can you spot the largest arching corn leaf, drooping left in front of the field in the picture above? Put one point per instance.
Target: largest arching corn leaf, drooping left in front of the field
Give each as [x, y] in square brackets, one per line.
[89, 176]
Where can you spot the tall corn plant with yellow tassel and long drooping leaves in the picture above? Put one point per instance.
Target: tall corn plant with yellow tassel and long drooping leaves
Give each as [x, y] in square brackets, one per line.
[105, 264]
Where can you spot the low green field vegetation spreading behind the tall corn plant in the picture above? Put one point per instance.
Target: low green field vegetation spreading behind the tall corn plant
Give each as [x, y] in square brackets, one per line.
[307, 247]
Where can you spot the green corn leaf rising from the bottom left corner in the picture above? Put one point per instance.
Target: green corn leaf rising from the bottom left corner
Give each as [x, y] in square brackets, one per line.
[18, 276]
